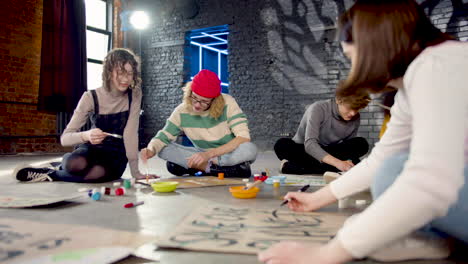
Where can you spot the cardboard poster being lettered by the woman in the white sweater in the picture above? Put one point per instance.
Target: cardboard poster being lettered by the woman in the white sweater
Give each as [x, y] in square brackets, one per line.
[248, 231]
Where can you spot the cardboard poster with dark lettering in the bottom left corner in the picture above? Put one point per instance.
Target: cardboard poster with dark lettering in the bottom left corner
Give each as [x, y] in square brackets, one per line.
[22, 240]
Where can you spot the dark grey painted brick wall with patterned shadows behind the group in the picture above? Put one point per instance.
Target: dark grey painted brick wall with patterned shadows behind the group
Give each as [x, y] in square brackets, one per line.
[282, 57]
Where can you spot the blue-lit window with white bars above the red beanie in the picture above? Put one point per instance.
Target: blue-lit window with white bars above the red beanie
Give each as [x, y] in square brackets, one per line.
[209, 50]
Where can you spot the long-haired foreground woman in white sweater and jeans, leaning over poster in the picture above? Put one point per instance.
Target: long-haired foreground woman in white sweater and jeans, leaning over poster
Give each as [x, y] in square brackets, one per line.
[418, 171]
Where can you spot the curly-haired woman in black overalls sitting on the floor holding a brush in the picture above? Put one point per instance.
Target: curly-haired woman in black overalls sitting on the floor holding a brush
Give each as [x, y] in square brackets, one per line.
[101, 153]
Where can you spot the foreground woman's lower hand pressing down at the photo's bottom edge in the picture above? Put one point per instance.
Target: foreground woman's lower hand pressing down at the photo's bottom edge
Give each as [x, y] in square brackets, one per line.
[296, 253]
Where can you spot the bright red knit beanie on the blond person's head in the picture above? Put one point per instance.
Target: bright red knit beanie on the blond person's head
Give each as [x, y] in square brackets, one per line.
[207, 84]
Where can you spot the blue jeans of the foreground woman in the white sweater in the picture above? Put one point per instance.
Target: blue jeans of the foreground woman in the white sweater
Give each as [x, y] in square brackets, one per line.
[454, 224]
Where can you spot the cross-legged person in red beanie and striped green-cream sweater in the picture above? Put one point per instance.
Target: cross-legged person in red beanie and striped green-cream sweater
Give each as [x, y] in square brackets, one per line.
[216, 126]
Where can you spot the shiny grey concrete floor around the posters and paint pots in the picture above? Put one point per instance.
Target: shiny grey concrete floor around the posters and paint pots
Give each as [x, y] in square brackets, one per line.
[159, 214]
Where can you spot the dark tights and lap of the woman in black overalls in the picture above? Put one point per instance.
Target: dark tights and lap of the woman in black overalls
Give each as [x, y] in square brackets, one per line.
[86, 165]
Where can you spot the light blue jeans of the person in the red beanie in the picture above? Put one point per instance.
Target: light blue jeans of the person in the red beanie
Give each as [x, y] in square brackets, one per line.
[178, 154]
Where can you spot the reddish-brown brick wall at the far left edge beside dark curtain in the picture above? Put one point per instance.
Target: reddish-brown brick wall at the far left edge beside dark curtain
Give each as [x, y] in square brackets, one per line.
[22, 127]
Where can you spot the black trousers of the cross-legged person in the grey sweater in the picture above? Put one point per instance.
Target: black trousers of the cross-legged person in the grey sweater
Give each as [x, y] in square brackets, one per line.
[350, 149]
